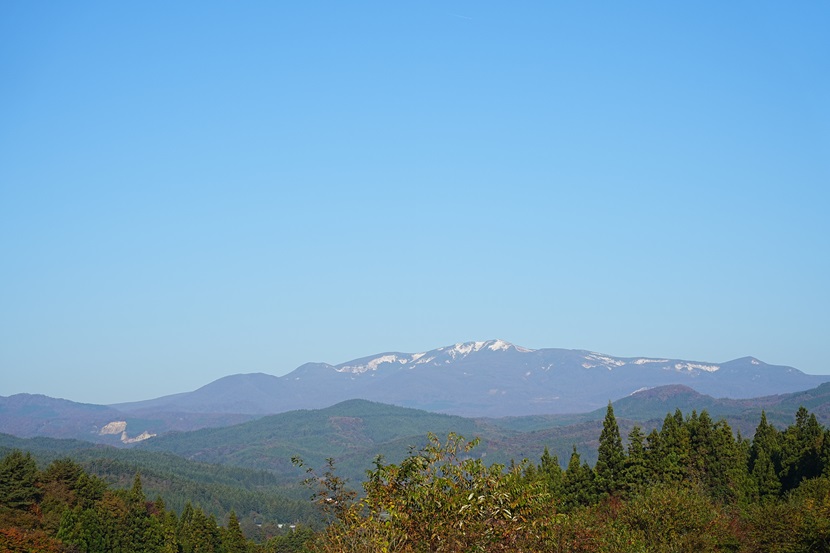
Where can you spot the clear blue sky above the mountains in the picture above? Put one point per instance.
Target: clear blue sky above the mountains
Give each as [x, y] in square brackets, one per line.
[190, 190]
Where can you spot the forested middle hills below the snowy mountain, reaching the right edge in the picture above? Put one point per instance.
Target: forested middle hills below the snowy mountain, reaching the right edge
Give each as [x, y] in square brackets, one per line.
[356, 431]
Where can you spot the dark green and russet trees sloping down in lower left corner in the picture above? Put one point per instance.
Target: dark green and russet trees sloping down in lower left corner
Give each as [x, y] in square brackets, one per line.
[64, 509]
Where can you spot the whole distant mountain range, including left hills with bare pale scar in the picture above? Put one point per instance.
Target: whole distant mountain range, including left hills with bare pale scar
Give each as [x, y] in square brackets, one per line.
[474, 379]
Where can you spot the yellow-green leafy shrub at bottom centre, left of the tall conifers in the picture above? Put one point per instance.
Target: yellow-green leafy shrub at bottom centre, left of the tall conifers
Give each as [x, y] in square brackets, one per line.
[438, 499]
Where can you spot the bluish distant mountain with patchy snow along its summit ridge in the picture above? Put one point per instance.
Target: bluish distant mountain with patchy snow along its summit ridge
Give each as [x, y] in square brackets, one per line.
[489, 378]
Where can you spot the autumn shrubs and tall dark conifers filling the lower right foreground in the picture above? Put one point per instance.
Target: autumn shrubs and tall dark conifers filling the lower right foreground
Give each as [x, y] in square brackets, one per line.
[691, 486]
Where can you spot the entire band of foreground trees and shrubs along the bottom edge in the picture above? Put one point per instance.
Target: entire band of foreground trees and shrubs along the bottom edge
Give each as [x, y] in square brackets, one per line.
[691, 486]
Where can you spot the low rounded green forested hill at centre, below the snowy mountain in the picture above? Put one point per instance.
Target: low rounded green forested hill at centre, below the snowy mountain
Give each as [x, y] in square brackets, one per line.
[352, 432]
